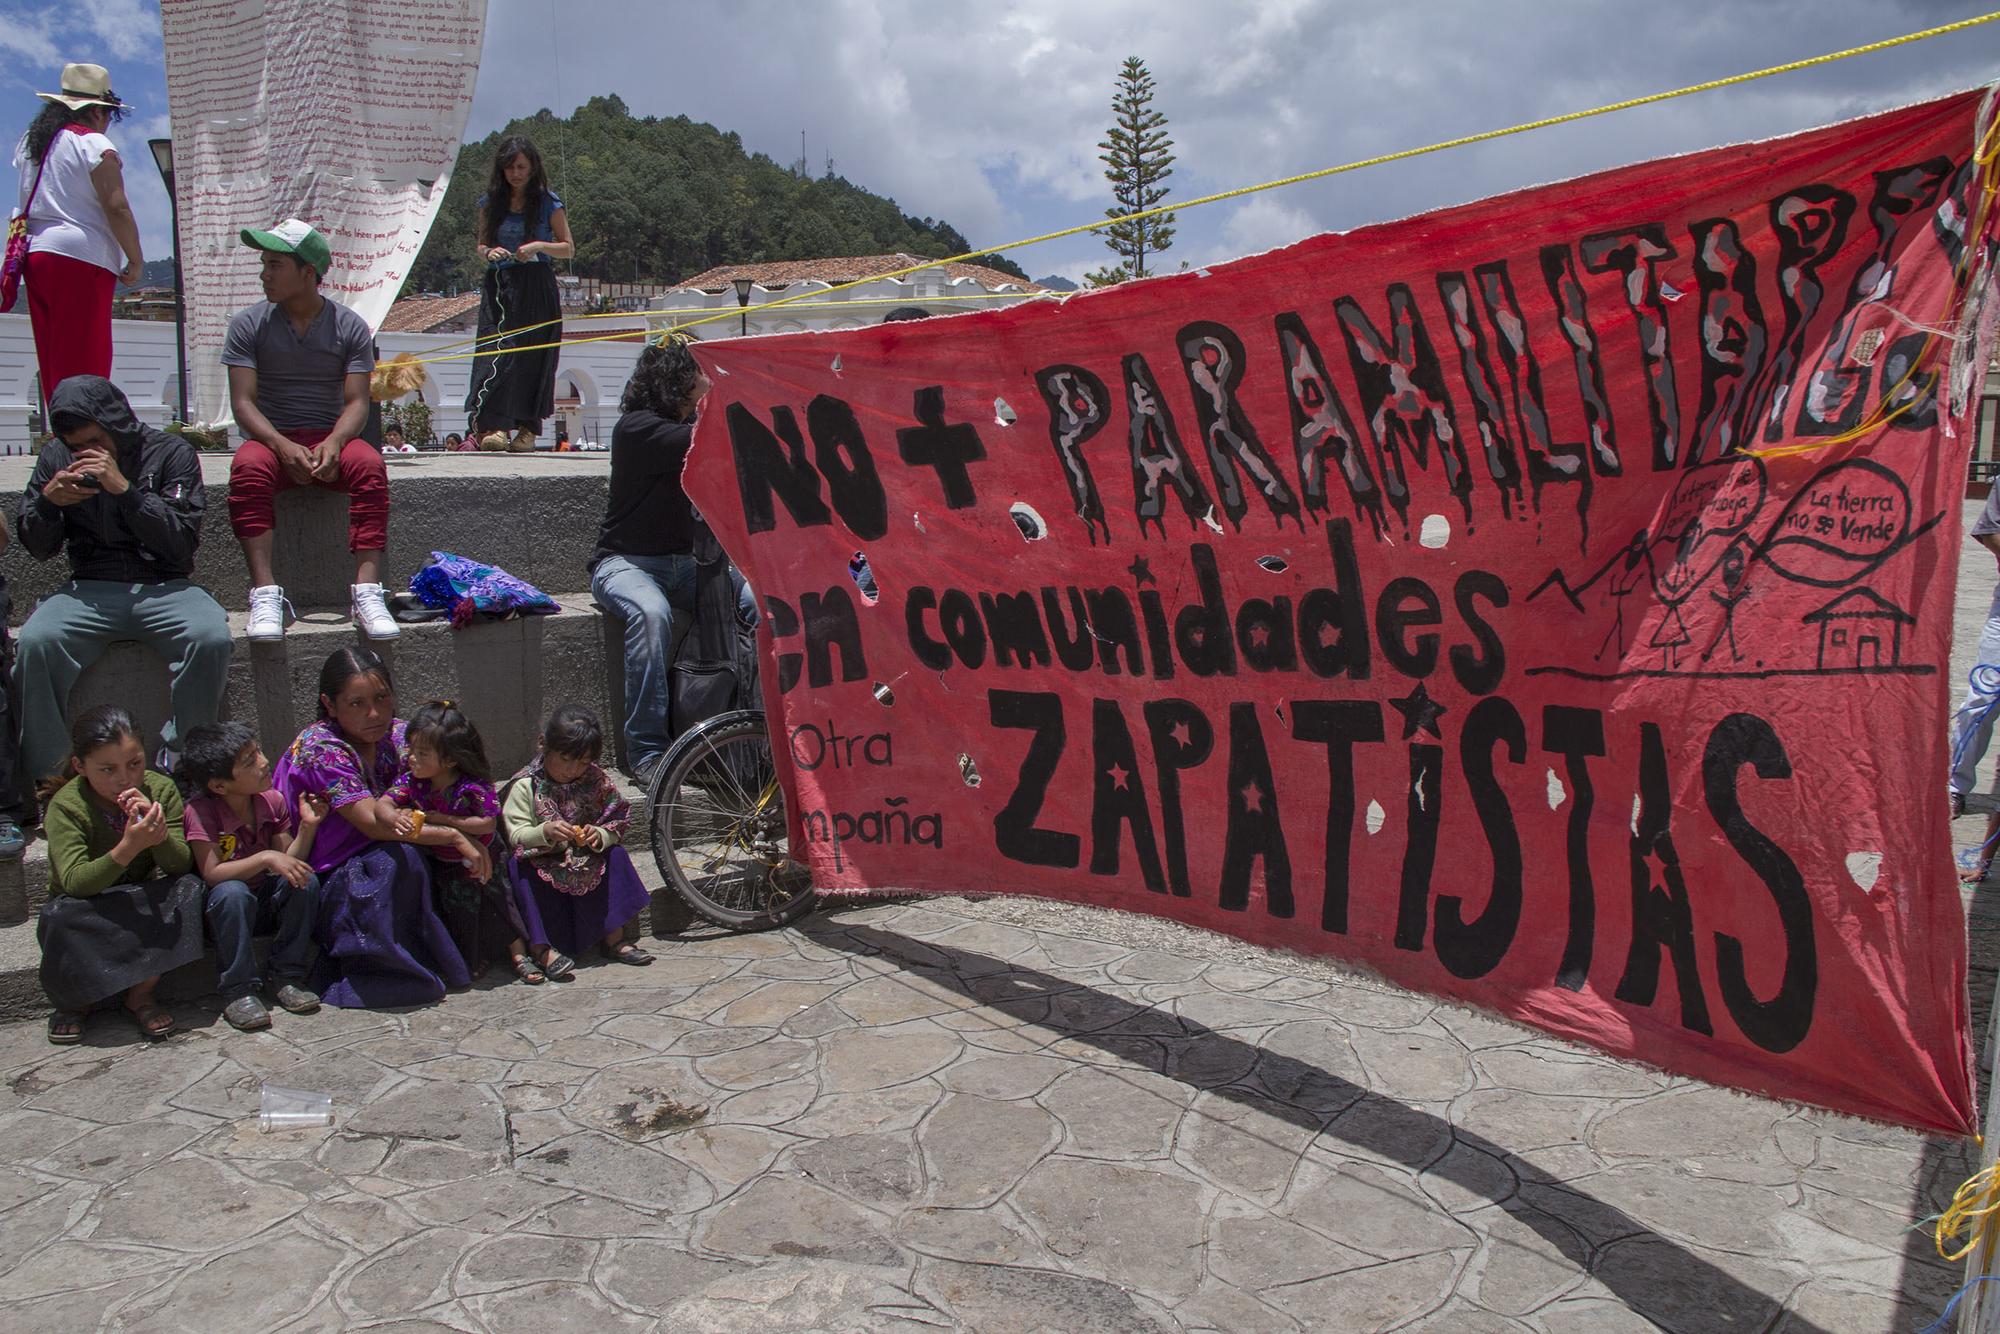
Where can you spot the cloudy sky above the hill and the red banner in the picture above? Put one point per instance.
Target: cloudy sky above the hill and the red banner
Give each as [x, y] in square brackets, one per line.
[989, 117]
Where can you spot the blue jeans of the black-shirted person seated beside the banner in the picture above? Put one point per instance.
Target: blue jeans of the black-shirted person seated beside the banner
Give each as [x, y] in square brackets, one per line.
[655, 597]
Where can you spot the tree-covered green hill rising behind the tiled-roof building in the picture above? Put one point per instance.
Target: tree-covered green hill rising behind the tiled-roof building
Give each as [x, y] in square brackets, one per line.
[661, 201]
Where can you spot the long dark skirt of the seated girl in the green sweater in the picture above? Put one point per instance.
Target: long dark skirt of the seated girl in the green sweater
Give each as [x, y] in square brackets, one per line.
[101, 947]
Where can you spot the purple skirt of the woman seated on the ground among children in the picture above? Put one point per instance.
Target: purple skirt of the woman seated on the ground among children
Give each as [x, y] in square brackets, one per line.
[381, 937]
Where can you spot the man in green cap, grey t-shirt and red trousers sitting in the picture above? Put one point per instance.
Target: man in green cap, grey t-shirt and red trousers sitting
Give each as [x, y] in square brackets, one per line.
[299, 383]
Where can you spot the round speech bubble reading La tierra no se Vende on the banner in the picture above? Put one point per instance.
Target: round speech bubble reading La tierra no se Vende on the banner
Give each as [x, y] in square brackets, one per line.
[1841, 525]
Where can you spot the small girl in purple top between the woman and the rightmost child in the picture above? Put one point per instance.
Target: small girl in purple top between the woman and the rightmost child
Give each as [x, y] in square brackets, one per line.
[447, 783]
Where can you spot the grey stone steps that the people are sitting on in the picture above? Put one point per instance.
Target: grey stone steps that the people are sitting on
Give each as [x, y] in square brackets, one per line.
[531, 515]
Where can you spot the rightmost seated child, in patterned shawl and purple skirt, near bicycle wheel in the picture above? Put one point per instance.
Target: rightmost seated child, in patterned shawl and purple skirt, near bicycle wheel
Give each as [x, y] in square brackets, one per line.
[573, 883]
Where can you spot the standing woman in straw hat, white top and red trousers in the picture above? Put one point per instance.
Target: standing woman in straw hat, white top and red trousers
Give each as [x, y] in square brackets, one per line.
[83, 239]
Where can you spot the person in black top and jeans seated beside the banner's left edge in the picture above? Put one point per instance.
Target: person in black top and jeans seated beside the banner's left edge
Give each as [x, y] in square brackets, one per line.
[643, 569]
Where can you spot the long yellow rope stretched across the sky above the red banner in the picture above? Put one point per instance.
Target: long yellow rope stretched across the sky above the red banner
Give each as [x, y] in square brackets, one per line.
[1319, 175]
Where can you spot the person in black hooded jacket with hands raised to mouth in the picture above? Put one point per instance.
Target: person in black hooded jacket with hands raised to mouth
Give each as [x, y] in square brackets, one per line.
[127, 505]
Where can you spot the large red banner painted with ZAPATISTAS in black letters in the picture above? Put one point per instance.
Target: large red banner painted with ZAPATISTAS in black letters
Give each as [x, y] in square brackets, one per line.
[1445, 597]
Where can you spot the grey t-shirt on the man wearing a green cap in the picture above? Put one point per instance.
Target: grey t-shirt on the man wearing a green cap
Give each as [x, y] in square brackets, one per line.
[299, 379]
